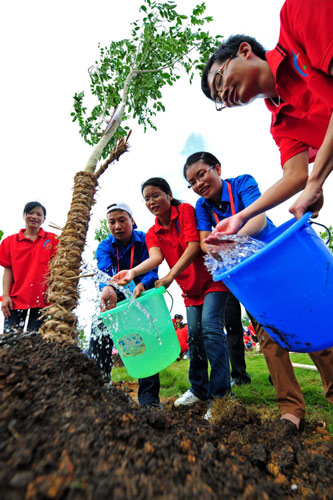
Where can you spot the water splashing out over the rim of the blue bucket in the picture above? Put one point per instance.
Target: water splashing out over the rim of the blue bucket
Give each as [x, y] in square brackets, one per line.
[230, 250]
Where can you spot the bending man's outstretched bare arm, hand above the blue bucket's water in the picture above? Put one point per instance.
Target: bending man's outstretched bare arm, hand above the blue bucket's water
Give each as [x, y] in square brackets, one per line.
[295, 174]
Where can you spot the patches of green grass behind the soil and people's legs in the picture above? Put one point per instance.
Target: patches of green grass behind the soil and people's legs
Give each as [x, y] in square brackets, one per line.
[260, 394]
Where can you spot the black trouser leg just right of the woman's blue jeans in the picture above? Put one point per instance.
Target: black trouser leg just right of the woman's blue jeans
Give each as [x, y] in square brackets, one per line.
[234, 327]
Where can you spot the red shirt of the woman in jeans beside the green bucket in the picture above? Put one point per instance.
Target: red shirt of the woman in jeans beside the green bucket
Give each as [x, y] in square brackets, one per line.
[195, 281]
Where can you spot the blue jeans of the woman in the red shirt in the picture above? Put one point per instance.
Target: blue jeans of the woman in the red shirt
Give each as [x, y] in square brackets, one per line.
[208, 342]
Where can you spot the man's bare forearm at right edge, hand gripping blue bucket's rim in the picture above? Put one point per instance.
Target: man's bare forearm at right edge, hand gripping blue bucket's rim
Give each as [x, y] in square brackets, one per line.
[312, 197]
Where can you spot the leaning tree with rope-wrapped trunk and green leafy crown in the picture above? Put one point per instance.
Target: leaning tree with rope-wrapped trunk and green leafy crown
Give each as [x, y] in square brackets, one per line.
[126, 82]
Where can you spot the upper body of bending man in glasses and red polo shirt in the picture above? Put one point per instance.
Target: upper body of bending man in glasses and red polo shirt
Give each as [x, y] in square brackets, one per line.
[296, 80]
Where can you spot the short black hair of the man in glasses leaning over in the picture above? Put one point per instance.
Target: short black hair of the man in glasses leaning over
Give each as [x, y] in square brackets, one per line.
[229, 48]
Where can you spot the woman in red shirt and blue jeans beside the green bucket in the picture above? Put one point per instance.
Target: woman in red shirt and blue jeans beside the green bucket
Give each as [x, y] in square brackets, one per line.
[174, 237]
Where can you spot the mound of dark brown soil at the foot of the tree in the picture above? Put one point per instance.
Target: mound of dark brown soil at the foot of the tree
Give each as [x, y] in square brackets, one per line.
[65, 435]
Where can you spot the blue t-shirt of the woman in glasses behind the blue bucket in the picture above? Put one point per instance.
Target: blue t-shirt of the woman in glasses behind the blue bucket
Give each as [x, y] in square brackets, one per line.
[245, 191]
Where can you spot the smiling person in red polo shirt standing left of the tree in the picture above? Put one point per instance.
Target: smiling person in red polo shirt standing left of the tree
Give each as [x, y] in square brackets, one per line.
[25, 257]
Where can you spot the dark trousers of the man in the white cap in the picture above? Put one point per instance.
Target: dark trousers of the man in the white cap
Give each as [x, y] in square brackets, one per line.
[100, 349]
